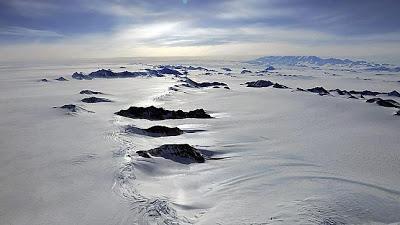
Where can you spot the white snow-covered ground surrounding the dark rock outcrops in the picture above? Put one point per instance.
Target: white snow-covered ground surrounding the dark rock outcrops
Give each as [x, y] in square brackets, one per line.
[288, 156]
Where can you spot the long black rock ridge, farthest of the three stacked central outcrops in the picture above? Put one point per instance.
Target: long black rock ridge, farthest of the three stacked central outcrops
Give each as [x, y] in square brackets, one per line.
[153, 113]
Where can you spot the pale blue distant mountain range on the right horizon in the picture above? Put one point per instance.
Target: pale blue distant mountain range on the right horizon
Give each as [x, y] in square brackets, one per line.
[317, 61]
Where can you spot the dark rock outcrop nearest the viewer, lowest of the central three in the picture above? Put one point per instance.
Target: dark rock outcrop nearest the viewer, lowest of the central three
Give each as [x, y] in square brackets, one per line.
[182, 153]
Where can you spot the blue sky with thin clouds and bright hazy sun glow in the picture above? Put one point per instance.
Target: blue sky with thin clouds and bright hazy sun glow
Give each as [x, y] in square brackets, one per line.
[55, 29]
